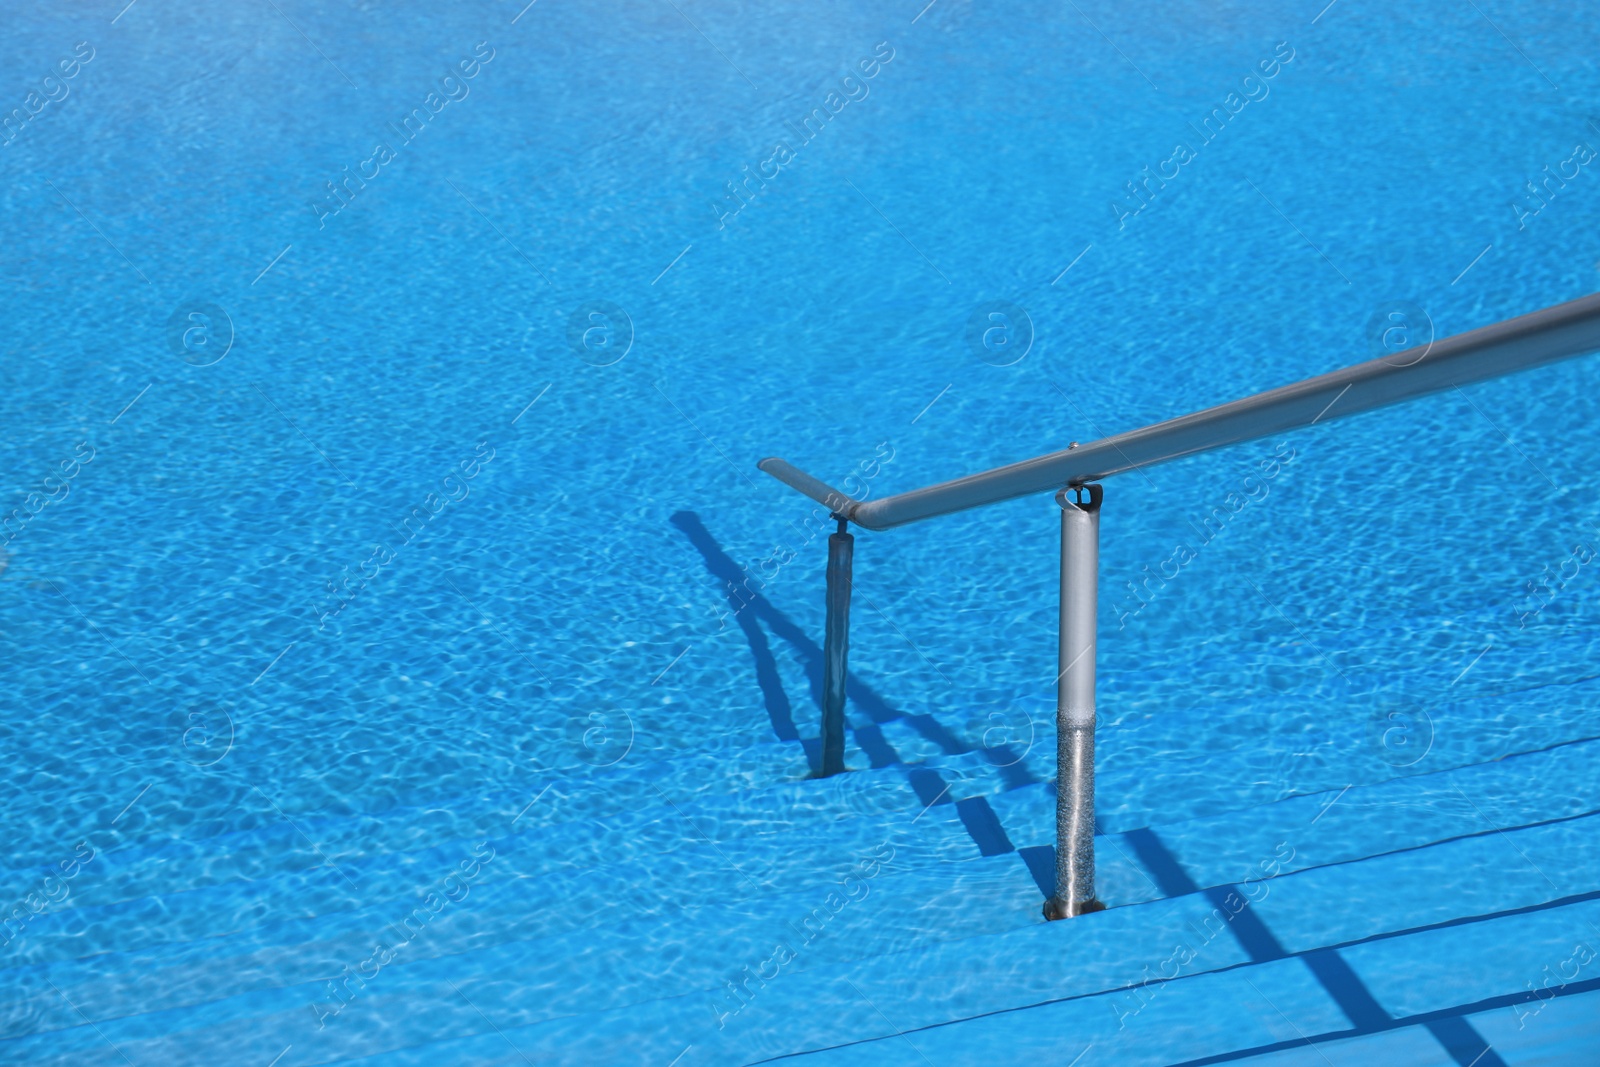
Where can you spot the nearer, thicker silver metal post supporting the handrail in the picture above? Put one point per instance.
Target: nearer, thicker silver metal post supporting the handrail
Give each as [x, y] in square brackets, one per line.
[1076, 705]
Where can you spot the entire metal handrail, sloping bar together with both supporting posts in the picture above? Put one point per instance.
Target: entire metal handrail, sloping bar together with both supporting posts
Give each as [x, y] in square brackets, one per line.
[1516, 345]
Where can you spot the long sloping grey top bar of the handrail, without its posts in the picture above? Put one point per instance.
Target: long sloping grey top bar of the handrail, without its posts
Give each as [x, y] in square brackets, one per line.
[1505, 348]
